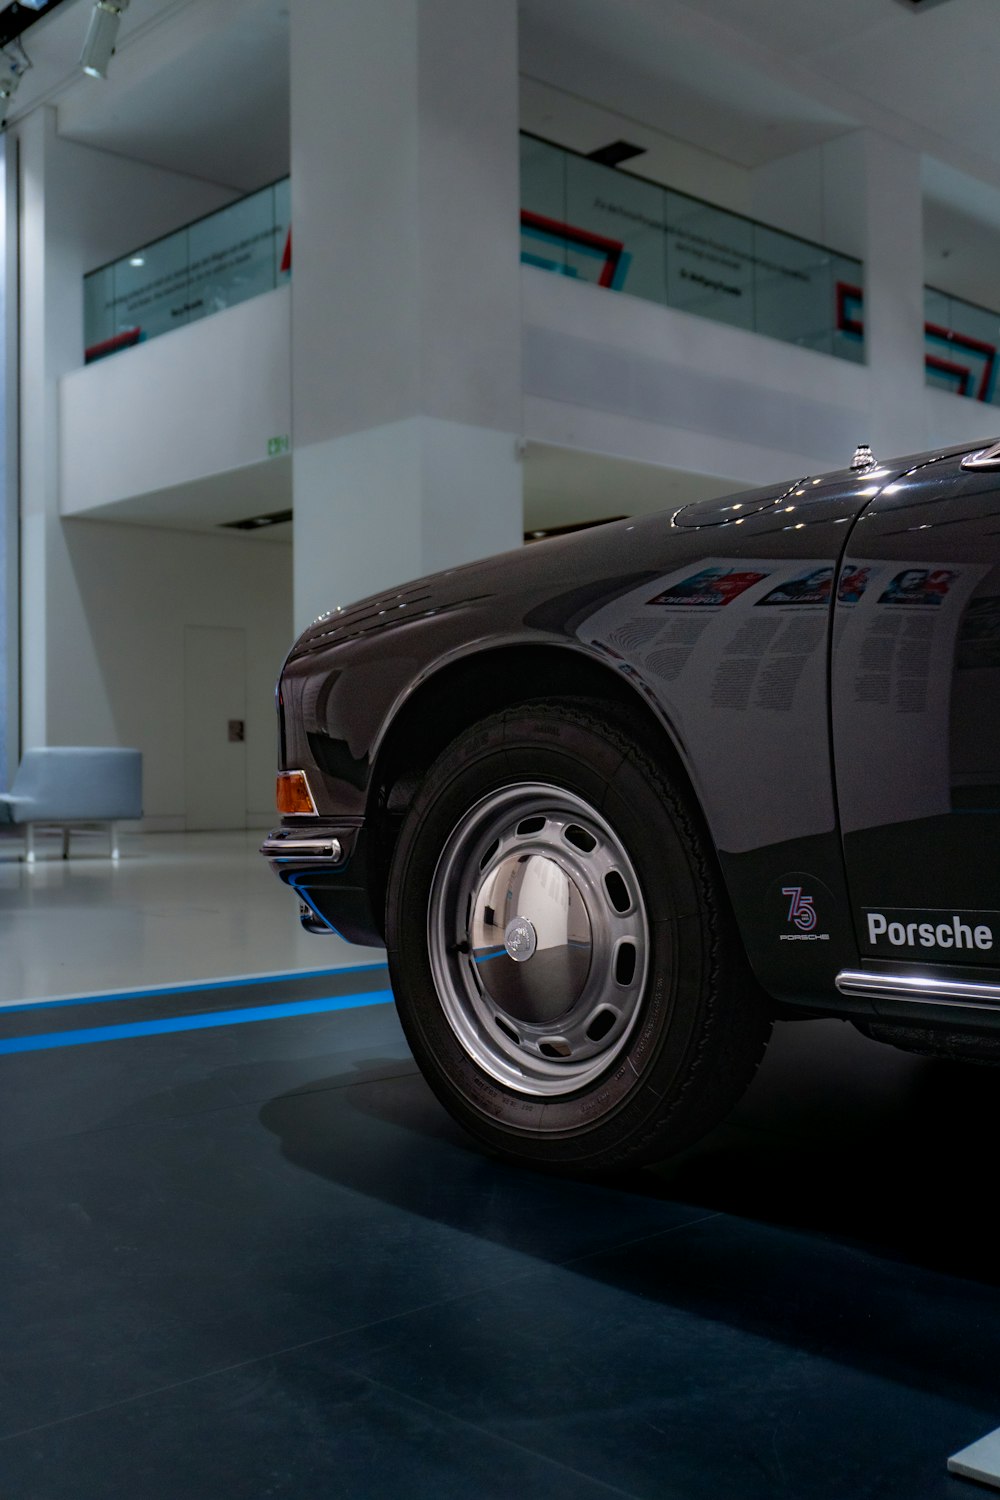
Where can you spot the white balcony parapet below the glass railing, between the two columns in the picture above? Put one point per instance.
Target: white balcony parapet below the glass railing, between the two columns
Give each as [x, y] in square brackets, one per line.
[618, 376]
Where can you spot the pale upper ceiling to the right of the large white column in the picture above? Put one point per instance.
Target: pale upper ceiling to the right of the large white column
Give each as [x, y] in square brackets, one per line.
[755, 82]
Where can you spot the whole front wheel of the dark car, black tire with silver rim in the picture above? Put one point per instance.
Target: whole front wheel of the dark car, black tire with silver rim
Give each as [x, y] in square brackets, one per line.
[561, 949]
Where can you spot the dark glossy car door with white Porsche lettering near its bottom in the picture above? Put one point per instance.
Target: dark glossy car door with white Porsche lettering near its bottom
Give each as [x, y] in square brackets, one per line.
[917, 724]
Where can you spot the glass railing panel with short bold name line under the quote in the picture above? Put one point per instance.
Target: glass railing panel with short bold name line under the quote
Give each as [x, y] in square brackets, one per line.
[710, 262]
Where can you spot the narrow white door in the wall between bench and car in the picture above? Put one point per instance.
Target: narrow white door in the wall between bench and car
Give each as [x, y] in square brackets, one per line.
[215, 715]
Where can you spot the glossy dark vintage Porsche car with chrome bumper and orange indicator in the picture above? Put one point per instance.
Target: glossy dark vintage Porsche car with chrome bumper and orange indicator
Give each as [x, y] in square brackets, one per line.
[618, 800]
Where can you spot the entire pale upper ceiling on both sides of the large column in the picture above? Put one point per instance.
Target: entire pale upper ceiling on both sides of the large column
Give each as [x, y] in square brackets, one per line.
[206, 86]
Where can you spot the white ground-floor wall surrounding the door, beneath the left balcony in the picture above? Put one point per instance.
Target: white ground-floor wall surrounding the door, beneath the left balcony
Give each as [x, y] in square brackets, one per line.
[119, 601]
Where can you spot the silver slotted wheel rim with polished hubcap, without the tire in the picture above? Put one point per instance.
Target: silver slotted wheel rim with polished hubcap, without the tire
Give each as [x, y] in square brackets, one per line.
[539, 940]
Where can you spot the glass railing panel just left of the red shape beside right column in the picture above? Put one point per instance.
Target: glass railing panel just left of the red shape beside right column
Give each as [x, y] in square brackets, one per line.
[794, 295]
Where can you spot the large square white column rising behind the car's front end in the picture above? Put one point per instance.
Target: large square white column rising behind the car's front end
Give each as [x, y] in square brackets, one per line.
[406, 292]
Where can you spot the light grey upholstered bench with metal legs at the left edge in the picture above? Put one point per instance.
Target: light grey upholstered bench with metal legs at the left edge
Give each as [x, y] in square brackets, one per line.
[74, 787]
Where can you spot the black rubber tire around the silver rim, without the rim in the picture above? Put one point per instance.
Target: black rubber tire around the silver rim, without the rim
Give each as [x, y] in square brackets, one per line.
[566, 751]
